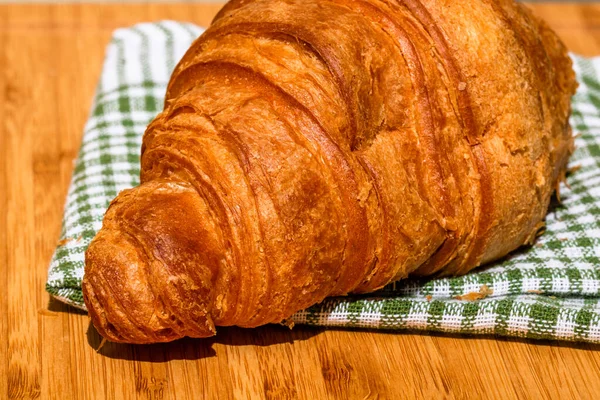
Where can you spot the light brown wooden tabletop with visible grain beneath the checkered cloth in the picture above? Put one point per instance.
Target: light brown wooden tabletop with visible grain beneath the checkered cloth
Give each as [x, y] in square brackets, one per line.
[50, 59]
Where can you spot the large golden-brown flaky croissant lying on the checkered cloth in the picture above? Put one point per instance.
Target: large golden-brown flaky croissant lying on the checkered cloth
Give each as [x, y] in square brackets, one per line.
[319, 148]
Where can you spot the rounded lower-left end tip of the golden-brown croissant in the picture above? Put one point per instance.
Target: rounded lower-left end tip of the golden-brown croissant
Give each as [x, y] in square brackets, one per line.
[117, 284]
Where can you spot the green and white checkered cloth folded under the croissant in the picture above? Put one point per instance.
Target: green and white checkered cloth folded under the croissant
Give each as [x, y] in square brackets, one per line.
[550, 290]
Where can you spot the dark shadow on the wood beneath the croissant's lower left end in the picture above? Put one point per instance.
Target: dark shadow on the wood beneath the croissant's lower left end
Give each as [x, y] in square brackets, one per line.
[193, 349]
